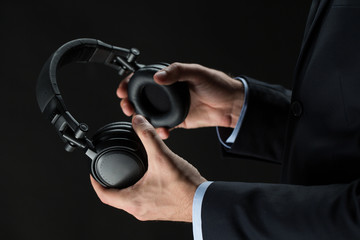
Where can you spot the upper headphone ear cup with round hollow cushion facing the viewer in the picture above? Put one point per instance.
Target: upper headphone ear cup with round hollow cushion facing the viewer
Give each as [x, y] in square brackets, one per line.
[163, 105]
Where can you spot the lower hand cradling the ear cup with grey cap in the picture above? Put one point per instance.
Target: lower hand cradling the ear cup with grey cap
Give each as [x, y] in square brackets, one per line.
[167, 189]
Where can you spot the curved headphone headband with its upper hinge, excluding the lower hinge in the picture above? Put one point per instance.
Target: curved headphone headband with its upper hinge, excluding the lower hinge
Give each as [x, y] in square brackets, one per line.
[81, 51]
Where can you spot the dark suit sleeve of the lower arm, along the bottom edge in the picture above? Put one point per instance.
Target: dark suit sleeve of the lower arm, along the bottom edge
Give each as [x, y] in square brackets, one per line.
[279, 211]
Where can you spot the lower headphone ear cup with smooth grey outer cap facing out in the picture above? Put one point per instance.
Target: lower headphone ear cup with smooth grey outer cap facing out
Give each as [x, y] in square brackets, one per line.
[121, 159]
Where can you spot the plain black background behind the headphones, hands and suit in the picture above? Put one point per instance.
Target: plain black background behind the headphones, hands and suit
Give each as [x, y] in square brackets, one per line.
[45, 192]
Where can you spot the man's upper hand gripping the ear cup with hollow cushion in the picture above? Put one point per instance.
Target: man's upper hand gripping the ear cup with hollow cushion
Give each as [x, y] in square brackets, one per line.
[216, 98]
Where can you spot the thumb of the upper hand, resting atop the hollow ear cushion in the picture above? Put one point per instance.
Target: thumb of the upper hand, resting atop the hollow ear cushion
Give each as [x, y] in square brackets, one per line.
[179, 72]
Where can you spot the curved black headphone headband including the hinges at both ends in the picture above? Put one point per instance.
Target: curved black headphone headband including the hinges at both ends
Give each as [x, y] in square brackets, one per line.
[83, 50]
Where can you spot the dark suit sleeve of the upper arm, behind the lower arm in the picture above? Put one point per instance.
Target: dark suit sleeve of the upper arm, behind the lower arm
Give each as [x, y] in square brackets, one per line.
[262, 133]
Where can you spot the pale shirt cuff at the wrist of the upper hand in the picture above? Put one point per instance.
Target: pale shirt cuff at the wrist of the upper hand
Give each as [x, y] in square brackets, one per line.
[231, 139]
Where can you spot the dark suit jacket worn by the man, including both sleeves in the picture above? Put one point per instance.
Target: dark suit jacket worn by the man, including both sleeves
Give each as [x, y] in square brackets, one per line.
[314, 131]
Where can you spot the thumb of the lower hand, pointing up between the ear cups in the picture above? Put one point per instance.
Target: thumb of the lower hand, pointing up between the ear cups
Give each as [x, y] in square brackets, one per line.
[148, 136]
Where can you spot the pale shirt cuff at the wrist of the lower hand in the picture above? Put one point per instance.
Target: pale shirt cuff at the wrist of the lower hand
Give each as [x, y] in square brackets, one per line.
[196, 212]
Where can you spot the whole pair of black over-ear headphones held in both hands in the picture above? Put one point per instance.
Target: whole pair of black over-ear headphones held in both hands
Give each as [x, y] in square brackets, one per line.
[118, 158]
